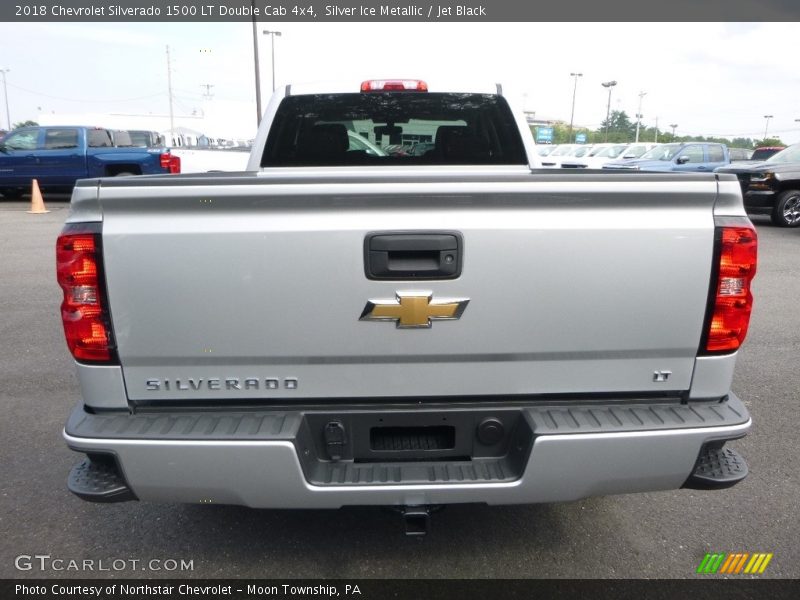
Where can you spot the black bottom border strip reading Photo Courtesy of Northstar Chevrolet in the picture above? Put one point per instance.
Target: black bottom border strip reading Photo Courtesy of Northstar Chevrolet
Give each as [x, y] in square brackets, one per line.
[699, 587]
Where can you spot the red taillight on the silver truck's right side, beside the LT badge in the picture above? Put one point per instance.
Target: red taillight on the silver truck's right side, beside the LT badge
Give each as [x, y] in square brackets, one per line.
[733, 301]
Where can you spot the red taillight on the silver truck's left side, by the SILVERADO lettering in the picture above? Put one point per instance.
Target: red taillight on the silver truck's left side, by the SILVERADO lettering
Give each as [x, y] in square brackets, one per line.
[86, 322]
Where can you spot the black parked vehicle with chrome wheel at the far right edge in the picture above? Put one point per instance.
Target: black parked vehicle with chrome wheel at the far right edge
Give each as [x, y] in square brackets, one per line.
[772, 186]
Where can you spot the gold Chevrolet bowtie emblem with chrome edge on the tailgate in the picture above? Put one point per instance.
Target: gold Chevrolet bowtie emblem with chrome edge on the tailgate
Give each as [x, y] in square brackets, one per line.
[414, 309]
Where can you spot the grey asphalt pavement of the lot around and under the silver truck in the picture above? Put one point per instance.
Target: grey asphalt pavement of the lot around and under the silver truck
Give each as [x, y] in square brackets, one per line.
[663, 534]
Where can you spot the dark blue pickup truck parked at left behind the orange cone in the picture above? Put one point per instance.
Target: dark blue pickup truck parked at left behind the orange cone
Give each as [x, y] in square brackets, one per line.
[58, 156]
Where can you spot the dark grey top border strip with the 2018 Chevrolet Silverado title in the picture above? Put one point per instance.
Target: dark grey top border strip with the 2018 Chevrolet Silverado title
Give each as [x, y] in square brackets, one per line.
[433, 11]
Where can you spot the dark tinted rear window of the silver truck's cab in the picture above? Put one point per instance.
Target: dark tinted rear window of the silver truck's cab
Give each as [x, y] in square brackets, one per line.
[400, 128]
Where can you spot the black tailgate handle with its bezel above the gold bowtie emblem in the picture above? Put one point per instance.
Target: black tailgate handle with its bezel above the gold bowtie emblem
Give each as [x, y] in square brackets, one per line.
[413, 255]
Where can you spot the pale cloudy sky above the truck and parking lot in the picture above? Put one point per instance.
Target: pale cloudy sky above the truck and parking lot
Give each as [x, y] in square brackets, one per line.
[710, 79]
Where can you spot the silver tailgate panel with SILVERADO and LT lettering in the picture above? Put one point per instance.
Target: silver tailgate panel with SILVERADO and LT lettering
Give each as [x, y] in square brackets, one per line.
[253, 287]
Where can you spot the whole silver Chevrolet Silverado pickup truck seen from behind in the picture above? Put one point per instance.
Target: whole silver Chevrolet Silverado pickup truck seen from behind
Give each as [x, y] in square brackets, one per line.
[345, 327]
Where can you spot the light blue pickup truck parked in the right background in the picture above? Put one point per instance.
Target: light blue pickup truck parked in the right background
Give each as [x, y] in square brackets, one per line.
[688, 156]
